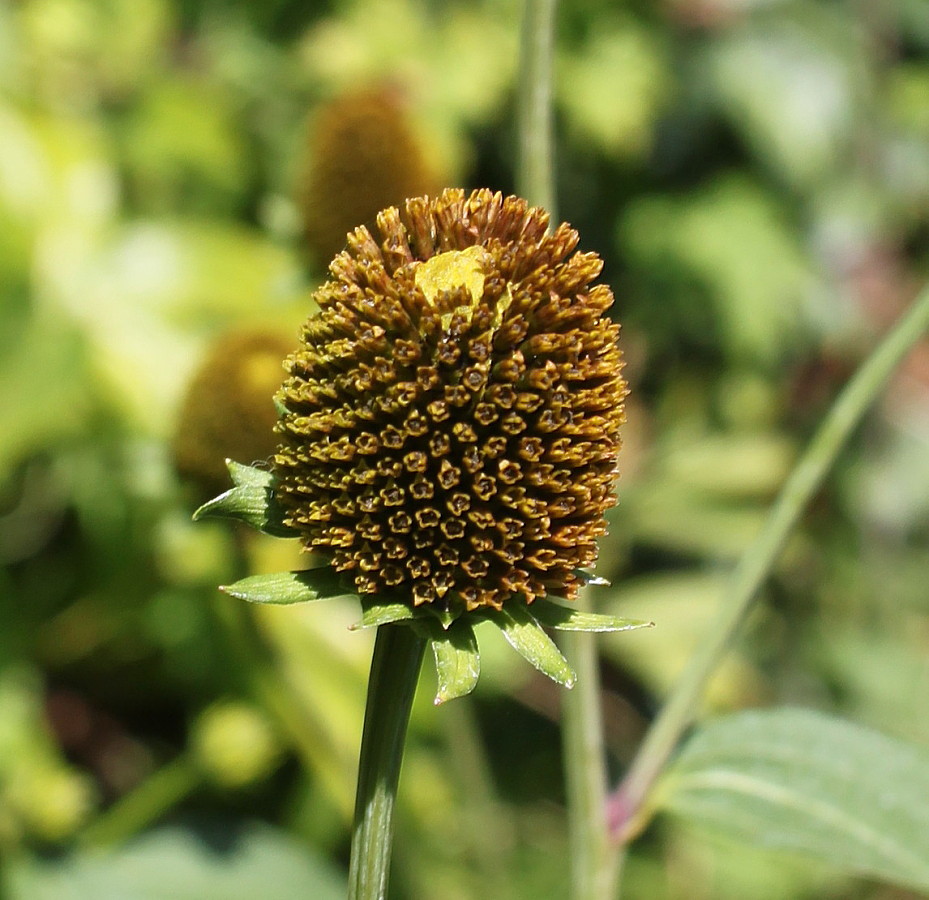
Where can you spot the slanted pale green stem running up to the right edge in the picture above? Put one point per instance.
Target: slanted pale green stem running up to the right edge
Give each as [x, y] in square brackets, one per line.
[628, 805]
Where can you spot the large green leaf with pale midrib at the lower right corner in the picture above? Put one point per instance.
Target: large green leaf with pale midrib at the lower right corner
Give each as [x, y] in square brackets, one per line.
[810, 784]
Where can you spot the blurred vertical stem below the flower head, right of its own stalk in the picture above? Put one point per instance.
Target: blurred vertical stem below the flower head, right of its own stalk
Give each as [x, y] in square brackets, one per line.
[593, 873]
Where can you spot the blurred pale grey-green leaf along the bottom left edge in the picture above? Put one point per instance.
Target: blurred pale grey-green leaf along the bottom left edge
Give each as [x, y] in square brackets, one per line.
[228, 862]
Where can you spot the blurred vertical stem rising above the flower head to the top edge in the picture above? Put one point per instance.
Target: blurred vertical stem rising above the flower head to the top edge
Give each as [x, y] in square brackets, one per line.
[535, 165]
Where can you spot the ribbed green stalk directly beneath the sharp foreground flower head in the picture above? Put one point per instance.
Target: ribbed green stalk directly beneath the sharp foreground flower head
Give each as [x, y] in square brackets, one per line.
[395, 665]
